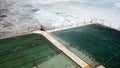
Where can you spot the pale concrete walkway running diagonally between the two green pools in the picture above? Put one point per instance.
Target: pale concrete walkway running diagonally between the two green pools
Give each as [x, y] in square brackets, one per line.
[71, 55]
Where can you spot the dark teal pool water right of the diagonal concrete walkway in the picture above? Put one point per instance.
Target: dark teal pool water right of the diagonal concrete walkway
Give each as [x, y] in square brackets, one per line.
[95, 44]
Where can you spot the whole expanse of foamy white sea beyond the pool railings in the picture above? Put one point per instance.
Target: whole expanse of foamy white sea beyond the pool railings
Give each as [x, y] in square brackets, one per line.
[55, 13]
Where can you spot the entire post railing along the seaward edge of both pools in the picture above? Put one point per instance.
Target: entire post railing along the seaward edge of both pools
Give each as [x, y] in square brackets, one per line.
[19, 32]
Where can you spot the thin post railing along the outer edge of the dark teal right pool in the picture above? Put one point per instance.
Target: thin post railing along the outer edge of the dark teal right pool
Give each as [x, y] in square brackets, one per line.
[103, 22]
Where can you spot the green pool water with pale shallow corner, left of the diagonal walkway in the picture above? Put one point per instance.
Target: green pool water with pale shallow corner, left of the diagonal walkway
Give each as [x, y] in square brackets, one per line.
[31, 50]
